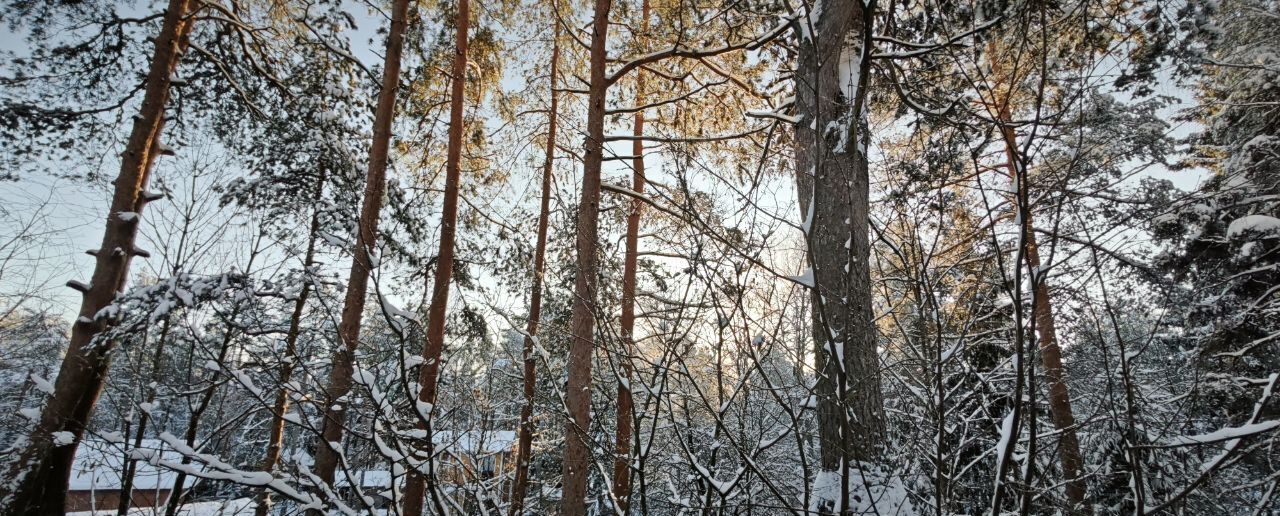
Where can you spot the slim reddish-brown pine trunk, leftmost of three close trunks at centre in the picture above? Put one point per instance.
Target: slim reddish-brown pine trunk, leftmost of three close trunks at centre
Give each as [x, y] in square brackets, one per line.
[520, 487]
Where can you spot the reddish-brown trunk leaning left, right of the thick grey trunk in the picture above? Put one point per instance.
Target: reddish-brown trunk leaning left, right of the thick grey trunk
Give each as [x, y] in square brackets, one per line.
[1046, 328]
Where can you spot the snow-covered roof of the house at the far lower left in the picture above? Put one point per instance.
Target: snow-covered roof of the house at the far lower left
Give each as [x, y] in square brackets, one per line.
[99, 467]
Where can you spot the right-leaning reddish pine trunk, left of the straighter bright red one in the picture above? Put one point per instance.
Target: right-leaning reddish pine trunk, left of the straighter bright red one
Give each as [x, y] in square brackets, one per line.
[358, 282]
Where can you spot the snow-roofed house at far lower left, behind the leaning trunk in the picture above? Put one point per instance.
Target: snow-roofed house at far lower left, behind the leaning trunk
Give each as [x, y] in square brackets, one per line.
[99, 468]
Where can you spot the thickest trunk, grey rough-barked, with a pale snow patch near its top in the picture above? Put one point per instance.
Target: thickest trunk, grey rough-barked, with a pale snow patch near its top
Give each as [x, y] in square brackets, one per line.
[831, 161]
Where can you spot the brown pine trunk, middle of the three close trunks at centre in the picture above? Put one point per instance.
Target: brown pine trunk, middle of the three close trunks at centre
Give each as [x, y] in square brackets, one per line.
[578, 399]
